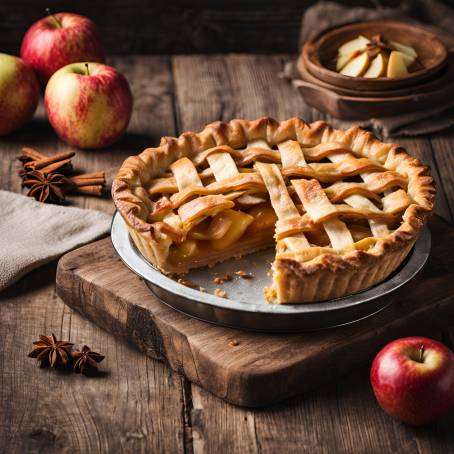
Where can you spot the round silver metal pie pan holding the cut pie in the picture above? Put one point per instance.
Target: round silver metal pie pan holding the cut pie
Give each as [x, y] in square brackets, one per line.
[244, 306]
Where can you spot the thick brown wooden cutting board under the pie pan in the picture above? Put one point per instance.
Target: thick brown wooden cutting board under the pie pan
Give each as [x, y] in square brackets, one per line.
[244, 368]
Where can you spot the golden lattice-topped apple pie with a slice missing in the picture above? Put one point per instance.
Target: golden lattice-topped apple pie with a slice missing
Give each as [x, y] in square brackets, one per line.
[343, 208]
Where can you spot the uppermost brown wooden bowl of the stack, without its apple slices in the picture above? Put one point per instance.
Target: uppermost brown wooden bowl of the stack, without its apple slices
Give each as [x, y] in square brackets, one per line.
[319, 54]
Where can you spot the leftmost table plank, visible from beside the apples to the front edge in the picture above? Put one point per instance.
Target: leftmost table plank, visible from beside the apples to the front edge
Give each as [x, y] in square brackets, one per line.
[137, 398]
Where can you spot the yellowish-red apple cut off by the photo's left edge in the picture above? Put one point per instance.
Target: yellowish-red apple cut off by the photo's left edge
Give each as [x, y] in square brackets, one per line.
[19, 93]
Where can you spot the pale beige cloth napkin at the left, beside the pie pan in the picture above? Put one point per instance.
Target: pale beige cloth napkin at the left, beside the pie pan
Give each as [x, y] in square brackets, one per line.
[34, 233]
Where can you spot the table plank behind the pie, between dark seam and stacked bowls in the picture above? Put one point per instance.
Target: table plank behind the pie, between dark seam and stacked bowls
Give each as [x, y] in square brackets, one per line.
[232, 86]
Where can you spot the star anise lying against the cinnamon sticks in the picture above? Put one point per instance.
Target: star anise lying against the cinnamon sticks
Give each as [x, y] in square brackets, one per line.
[45, 187]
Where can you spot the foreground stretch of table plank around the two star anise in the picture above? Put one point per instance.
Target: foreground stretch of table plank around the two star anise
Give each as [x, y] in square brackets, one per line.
[43, 410]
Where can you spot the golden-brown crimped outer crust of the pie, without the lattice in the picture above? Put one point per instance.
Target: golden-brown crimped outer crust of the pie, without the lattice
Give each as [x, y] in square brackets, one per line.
[329, 269]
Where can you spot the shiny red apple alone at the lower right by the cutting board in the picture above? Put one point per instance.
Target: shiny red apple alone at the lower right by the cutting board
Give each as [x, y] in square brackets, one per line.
[415, 392]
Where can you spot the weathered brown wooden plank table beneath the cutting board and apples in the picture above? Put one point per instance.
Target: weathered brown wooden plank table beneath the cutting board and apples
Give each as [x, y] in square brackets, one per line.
[140, 405]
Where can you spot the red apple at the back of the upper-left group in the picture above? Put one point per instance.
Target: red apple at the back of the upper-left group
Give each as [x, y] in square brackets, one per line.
[48, 47]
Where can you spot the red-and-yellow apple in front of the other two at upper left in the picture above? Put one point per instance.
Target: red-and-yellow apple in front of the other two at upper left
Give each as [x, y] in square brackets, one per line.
[88, 111]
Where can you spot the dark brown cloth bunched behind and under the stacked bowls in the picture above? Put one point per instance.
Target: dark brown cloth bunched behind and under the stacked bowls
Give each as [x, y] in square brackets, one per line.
[435, 14]
